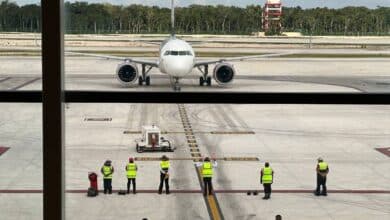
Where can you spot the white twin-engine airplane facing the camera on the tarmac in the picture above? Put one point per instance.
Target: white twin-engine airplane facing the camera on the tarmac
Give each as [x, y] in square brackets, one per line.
[176, 59]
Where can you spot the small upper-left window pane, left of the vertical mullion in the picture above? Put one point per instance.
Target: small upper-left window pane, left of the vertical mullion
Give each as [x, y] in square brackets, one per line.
[20, 45]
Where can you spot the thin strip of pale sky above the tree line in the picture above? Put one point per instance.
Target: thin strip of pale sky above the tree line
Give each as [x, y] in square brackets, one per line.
[241, 3]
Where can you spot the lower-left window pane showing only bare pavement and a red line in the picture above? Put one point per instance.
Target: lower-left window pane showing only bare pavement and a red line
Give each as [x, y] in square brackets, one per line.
[21, 161]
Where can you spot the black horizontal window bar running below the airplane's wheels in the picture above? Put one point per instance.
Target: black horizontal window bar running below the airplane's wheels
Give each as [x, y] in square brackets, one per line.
[202, 97]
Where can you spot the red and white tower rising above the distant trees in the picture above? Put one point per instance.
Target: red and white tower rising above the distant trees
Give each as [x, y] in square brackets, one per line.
[272, 13]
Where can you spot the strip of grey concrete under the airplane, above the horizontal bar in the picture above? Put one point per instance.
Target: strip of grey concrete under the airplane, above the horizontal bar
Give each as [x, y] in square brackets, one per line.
[260, 75]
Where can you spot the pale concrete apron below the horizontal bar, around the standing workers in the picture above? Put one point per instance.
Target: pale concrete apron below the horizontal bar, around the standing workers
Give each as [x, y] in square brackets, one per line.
[290, 137]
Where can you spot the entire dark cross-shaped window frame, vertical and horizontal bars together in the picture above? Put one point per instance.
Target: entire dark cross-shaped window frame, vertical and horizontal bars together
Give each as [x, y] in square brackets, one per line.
[53, 98]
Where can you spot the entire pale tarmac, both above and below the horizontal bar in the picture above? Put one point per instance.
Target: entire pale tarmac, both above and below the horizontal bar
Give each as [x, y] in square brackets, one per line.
[290, 137]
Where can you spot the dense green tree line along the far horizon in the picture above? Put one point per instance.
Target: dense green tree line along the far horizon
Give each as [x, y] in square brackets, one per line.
[83, 18]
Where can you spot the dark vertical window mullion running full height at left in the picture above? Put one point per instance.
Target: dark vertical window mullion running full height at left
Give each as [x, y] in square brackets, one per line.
[52, 97]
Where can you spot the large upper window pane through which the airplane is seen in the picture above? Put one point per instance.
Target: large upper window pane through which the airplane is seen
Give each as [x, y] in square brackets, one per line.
[301, 58]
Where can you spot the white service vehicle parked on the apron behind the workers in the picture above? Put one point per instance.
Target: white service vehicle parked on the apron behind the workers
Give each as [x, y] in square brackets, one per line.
[153, 141]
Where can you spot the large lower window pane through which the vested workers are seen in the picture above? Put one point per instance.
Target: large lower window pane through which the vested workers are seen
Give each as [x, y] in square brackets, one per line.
[242, 138]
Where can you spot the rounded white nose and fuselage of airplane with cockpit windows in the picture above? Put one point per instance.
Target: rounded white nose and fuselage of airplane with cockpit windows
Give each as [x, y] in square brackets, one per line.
[177, 58]
